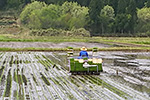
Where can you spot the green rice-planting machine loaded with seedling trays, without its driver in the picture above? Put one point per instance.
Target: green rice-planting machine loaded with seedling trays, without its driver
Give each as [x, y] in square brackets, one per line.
[91, 65]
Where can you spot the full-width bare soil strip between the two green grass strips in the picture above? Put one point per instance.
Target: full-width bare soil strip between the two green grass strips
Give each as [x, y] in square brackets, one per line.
[64, 45]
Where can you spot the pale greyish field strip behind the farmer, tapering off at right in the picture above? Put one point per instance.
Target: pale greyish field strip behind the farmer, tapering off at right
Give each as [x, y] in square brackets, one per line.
[50, 45]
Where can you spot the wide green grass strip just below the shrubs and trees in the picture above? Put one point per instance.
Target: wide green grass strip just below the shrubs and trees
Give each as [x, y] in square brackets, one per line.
[58, 39]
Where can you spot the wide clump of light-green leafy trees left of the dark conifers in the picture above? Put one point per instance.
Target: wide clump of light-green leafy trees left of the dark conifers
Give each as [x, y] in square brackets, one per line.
[68, 16]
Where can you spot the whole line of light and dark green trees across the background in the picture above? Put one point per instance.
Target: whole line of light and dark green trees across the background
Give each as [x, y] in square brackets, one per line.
[100, 17]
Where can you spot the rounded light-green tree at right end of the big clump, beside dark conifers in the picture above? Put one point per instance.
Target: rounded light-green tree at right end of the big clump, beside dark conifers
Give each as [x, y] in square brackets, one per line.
[73, 15]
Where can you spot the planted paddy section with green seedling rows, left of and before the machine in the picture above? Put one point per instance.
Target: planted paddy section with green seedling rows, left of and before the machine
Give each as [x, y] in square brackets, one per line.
[33, 76]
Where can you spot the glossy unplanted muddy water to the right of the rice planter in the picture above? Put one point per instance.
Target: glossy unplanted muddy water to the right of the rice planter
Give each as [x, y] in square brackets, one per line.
[133, 69]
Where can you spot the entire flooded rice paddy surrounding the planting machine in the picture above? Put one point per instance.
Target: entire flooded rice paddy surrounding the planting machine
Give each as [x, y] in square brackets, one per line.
[33, 76]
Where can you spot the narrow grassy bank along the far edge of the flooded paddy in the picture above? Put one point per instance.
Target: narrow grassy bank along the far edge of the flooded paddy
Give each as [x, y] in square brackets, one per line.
[133, 49]
